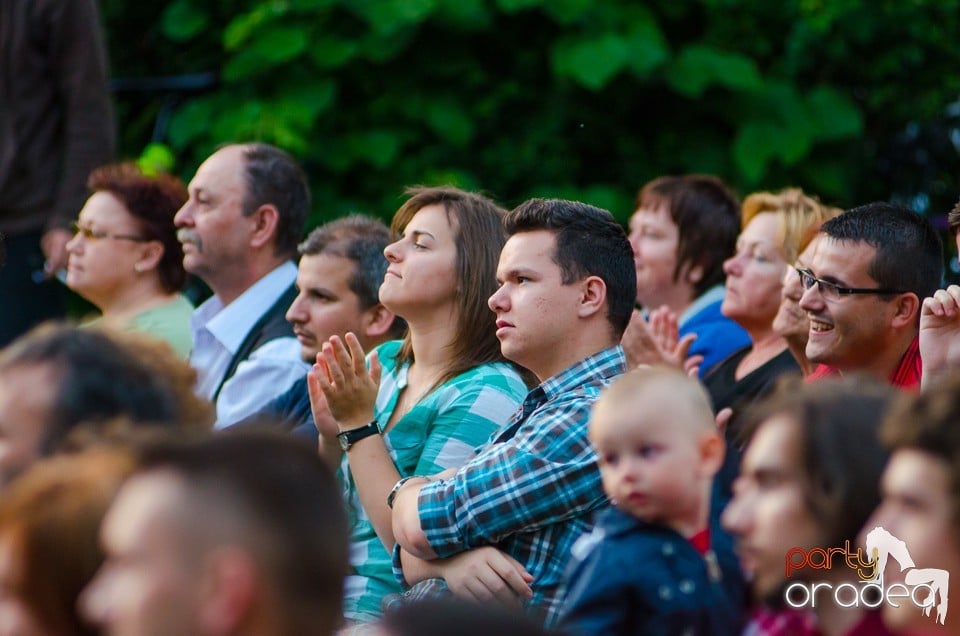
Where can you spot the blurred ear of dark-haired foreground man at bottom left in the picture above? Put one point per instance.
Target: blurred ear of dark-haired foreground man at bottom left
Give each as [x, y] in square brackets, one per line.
[229, 590]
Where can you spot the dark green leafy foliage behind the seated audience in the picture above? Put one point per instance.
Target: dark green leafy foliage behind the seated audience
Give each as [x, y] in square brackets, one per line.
[853, 100]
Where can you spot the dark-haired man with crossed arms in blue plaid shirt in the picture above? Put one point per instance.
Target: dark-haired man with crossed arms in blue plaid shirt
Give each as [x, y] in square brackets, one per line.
[502, 526]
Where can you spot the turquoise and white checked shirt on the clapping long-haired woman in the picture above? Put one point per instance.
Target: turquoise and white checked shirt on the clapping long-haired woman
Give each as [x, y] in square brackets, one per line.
[441, 431]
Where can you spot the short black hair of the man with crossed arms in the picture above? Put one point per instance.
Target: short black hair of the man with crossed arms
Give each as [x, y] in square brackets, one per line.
[589, 243]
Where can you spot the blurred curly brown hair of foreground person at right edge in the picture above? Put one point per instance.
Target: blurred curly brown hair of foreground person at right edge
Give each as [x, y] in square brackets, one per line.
[930, 423]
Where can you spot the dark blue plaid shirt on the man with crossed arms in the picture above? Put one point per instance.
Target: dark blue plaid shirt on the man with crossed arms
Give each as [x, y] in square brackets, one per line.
[532, 490]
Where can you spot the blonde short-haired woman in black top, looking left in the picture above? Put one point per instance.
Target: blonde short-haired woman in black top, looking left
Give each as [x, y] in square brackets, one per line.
[776, 228]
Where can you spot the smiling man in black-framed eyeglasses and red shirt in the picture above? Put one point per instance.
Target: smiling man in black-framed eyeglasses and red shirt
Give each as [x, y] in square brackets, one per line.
[868, 276]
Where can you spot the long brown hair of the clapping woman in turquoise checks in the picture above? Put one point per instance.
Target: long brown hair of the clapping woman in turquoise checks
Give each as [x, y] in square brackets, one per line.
[479, 236]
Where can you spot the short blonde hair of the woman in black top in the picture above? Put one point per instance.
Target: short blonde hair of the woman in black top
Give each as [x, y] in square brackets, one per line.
[801, 215]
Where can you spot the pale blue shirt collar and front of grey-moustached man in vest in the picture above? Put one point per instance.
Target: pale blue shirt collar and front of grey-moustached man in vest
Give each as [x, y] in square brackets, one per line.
[230, 324]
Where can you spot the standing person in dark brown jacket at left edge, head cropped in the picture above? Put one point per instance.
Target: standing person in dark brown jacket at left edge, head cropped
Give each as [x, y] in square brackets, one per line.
[56, 126]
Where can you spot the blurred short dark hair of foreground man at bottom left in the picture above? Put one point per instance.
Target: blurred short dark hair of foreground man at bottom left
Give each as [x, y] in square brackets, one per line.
[282, 499]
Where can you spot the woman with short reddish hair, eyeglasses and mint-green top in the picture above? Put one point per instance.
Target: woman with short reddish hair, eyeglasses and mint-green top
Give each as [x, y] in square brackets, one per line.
[125, 257]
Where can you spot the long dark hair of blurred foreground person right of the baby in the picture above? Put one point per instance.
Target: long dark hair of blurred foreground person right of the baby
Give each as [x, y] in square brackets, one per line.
[837, 425]
